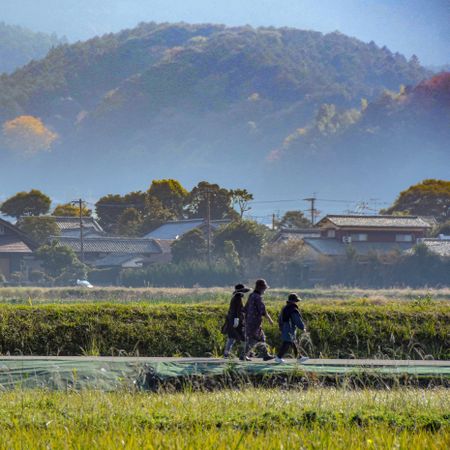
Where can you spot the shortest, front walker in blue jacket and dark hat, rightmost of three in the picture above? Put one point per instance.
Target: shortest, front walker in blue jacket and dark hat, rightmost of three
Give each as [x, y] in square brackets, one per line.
[289, 320]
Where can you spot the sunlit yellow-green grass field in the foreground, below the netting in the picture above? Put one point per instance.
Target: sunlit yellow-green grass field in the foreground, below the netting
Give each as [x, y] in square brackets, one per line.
[322, 418]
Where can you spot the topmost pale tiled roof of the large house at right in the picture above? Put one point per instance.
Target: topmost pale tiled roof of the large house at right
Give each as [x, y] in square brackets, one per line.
[377, 221]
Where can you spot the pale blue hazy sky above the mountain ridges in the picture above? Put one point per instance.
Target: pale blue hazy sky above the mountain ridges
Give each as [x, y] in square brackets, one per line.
[408, 26]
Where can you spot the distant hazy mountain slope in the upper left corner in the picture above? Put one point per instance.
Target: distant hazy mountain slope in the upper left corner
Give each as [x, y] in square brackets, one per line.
[18, 46]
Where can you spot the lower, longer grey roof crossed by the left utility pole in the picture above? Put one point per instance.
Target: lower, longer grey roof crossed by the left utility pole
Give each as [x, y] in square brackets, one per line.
[111, 244]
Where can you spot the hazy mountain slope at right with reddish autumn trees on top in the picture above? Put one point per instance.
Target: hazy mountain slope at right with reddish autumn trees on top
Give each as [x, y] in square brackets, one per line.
[395, 139]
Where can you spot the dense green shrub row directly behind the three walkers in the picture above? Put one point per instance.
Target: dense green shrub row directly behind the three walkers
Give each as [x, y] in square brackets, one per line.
[396, 331]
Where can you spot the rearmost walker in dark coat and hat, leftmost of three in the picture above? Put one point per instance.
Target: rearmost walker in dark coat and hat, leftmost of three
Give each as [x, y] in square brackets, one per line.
[234, 322]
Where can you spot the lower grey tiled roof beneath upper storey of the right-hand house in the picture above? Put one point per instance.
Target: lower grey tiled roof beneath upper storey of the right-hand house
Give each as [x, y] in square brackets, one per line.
[332, 247]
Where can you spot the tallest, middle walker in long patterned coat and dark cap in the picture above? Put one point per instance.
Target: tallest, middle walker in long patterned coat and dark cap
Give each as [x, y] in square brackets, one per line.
[255, 310]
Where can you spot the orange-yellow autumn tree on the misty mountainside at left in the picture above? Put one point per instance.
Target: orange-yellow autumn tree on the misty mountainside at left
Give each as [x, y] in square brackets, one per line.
[27, 135]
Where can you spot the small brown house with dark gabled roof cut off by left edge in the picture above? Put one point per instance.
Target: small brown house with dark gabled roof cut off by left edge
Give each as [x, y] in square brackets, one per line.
[15, 248]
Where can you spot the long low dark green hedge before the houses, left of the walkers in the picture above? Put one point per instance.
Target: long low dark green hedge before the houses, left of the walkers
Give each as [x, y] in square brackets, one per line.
[185, 274]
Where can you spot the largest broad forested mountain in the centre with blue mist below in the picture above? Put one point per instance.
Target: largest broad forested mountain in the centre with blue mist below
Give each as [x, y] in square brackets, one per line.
[187, 101]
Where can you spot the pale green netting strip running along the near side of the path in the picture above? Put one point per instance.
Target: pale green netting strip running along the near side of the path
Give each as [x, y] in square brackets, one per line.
[110, 374]
